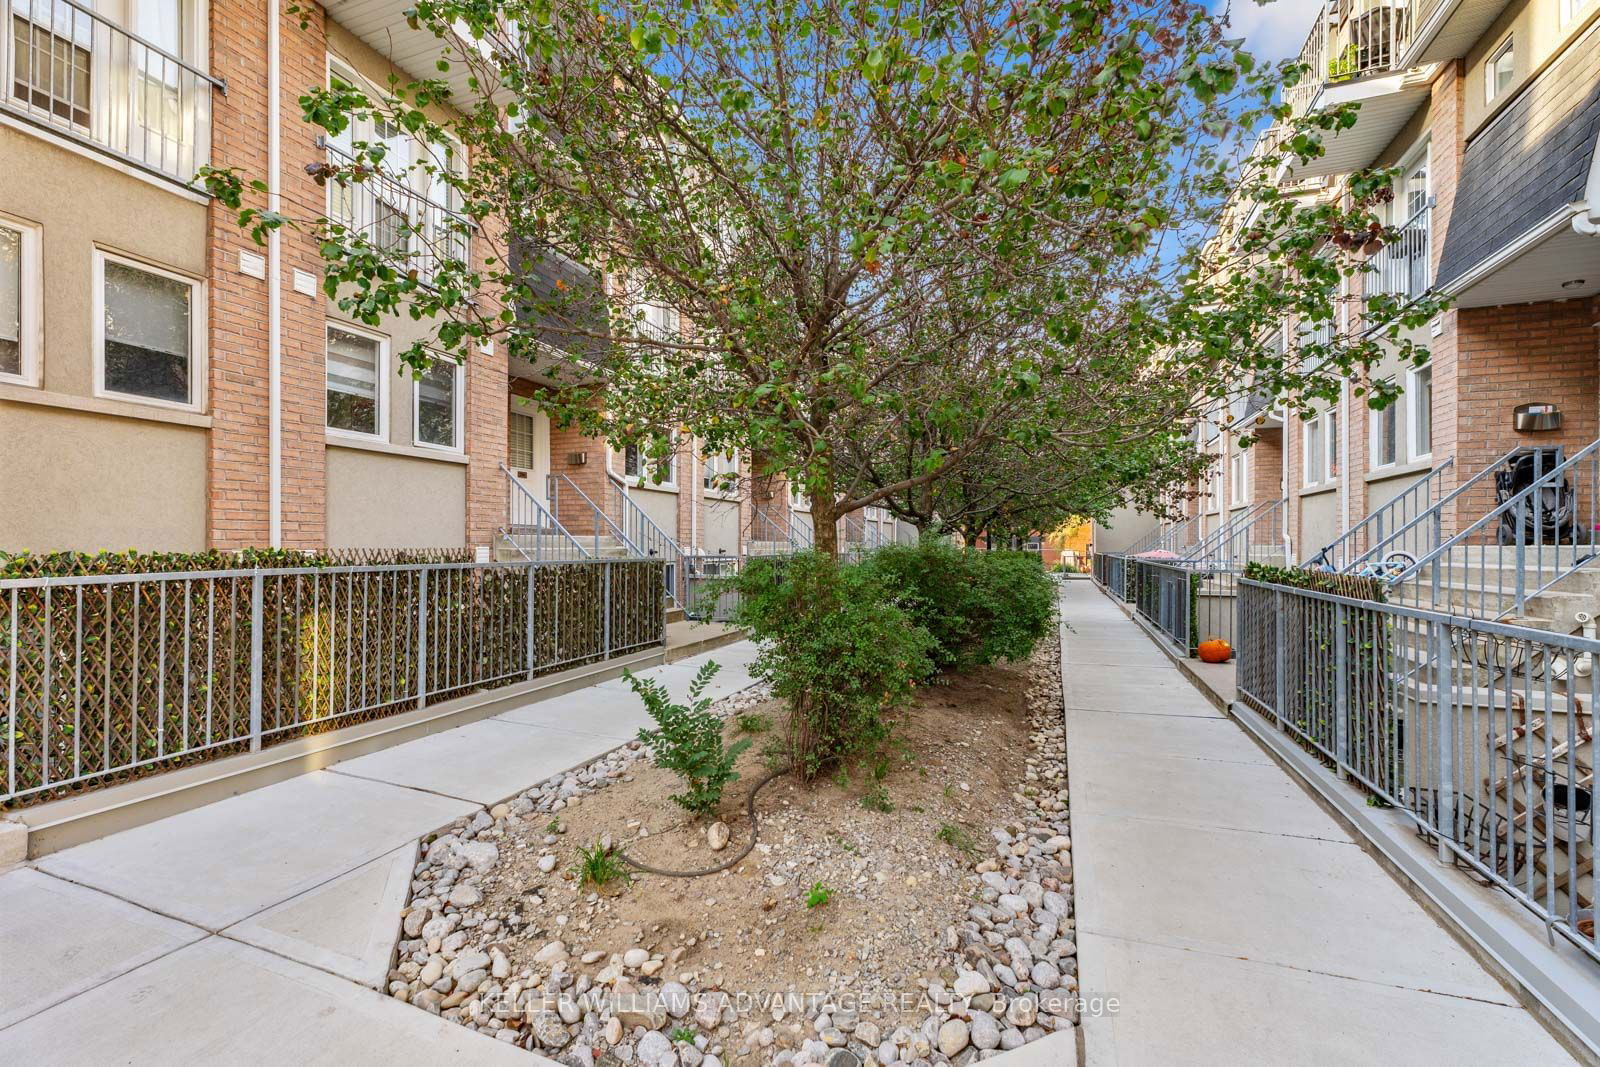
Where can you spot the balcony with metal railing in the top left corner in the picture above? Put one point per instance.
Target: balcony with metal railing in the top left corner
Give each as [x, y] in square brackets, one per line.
[66, 70]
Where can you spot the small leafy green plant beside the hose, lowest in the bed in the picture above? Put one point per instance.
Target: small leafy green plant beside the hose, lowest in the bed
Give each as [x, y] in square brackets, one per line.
[689, 741]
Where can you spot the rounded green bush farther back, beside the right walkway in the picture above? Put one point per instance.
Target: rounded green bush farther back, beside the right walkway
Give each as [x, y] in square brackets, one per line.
[980, 607]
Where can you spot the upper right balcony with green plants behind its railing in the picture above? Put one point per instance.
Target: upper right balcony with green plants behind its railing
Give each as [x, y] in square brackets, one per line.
[1353, 57]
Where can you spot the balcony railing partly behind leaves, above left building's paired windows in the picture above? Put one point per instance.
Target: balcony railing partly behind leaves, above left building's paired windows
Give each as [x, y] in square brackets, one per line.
[396, 218]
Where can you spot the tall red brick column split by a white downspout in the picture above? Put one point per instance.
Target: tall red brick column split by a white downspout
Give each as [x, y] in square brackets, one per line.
[239, 370]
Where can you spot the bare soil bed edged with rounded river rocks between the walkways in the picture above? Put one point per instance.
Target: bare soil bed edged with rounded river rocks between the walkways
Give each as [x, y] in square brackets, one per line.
[948, 935]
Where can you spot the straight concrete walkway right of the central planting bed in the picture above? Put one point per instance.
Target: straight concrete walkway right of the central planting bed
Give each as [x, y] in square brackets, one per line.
[1234, 921]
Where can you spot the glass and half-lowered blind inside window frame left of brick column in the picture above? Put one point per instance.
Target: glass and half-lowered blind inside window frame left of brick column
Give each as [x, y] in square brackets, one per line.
[148, 334]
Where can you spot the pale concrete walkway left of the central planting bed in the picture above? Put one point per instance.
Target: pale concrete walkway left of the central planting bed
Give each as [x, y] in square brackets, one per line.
[260, 929]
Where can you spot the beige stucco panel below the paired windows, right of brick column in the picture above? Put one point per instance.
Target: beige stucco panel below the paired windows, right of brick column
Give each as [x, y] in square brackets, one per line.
[383, 502]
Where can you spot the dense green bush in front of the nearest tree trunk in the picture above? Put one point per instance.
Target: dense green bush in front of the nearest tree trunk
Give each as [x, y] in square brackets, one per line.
[836, 647]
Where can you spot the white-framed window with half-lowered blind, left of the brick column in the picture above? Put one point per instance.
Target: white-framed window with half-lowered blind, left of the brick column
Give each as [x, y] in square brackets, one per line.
[150, 334]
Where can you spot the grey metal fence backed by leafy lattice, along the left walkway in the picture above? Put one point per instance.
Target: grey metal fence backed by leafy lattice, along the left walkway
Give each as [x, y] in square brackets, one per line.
[106, 677]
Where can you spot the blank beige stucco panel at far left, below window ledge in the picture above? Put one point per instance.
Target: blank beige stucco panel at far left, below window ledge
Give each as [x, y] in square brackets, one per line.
[92, 482]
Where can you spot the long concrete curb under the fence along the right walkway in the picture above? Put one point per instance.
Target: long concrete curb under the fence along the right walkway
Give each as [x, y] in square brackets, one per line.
[1553, 980]
